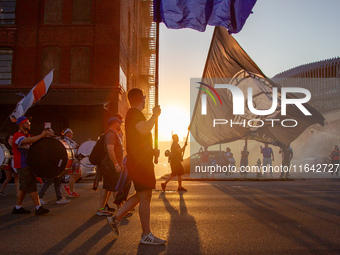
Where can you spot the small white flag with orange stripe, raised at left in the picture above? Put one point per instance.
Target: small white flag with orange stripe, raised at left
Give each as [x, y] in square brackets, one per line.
[34, 96]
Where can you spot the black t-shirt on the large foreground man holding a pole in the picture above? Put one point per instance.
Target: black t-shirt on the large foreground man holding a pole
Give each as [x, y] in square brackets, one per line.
[138, 147]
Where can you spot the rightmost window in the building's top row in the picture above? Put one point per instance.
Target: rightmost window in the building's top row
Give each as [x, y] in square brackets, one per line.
[82, 11]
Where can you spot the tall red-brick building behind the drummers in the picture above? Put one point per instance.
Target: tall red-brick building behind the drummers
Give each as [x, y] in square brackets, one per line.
[98, 49]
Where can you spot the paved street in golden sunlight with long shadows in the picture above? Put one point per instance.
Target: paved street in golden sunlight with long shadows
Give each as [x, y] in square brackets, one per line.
[220, 217]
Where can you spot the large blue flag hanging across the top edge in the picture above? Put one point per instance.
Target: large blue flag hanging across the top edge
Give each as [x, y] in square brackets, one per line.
[197, 14]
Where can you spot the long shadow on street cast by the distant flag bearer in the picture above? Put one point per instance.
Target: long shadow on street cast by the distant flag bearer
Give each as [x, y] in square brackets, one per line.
[183, 234]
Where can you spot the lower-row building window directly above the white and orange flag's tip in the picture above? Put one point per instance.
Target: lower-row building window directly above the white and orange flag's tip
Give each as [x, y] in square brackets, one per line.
[51, 60]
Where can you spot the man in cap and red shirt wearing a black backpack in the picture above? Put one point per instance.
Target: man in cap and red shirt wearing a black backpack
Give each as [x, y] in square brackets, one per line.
[110, 167]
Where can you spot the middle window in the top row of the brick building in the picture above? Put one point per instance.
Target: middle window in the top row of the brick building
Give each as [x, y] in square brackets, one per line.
[53, 12]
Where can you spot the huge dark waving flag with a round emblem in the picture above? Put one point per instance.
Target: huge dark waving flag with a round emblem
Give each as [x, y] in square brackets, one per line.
[228, 63]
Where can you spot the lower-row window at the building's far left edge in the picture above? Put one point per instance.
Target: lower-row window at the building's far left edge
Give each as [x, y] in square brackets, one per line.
[6, 57]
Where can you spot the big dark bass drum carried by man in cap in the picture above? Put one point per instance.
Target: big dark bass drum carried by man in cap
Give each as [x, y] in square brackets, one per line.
[50, 157]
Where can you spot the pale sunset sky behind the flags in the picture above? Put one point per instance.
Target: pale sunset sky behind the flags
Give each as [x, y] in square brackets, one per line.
[279, 35]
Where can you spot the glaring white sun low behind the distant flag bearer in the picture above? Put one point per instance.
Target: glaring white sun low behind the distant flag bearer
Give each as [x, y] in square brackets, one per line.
[174, 119]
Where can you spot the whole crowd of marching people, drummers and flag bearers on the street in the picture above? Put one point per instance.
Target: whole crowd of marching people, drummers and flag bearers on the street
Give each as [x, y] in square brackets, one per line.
[116, 171]
